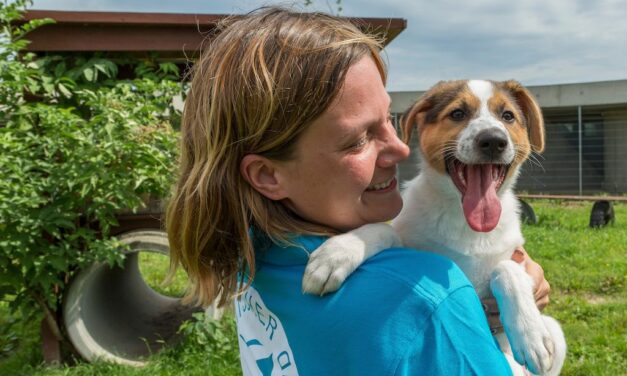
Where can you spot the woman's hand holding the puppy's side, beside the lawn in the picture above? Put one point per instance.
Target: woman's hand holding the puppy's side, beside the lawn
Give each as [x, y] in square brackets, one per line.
[540, 292]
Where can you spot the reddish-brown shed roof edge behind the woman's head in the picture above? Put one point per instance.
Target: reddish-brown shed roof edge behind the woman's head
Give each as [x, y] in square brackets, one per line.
[174, 35]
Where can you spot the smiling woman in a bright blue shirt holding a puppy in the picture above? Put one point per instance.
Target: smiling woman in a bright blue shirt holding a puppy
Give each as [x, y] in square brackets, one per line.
[287, 140]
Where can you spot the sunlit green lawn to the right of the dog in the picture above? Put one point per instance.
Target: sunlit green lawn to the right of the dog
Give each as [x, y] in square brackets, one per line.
[587, 269]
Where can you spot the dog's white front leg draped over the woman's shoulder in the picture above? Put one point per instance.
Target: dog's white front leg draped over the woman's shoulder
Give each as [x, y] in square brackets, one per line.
[340, 255]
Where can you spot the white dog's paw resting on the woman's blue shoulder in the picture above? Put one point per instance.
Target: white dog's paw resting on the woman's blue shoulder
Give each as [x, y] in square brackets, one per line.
[332, 263]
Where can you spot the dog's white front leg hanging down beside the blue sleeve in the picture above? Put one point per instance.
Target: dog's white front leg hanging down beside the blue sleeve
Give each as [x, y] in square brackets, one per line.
[530, 341]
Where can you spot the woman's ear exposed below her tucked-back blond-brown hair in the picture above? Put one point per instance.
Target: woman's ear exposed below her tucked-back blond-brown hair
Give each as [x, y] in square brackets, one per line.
[262, 174]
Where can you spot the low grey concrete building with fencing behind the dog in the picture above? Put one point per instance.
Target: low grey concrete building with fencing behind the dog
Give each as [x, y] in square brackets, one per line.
[586, 132]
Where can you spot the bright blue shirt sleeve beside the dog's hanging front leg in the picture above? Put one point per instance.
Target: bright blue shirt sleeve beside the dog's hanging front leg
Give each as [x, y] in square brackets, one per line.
[456, 340]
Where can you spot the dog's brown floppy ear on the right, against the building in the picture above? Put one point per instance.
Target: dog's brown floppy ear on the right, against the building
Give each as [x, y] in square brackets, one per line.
[532, 112]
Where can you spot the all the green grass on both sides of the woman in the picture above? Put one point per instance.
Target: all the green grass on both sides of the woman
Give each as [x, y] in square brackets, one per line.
[587, 270]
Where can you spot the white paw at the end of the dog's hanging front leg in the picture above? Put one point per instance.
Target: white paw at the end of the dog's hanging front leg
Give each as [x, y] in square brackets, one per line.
[532, 344]
